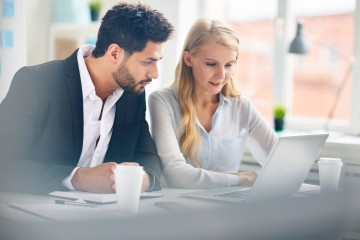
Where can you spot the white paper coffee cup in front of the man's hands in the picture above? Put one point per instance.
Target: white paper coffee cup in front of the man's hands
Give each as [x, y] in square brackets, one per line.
[128, 182]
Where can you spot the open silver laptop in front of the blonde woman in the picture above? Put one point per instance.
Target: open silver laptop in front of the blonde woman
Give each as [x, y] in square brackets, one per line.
[283, 174]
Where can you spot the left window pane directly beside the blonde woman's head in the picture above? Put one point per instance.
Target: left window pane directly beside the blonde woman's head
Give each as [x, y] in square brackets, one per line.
[254, 23]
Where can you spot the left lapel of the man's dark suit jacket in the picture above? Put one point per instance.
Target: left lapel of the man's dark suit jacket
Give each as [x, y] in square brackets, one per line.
[73, 84]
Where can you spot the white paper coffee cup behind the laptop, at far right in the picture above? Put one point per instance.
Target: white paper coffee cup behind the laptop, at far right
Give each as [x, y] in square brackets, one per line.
[329, 173]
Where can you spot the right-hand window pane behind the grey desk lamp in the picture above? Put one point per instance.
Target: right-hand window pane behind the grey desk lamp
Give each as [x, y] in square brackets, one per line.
[322, 79]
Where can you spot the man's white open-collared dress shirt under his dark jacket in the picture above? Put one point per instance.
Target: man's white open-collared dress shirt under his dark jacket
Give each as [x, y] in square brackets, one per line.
[93, 154]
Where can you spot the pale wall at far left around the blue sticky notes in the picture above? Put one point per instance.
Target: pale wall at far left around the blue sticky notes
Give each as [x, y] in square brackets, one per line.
[31, 32]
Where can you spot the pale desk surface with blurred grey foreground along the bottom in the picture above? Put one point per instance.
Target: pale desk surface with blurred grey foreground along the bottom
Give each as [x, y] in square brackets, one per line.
[283, 219]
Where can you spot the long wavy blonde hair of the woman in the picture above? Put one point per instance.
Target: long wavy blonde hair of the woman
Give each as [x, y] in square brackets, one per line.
[203, 32]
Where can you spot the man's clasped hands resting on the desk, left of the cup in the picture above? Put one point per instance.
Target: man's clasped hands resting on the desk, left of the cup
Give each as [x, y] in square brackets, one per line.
[97, 179]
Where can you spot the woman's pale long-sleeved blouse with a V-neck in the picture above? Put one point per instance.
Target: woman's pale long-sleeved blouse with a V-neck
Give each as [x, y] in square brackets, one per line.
[235, 124]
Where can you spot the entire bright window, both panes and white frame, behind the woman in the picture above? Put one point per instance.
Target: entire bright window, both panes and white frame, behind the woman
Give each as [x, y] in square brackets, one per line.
[315, 87]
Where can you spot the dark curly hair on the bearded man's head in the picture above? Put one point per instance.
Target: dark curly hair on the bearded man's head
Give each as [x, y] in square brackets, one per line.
[131, 26]
